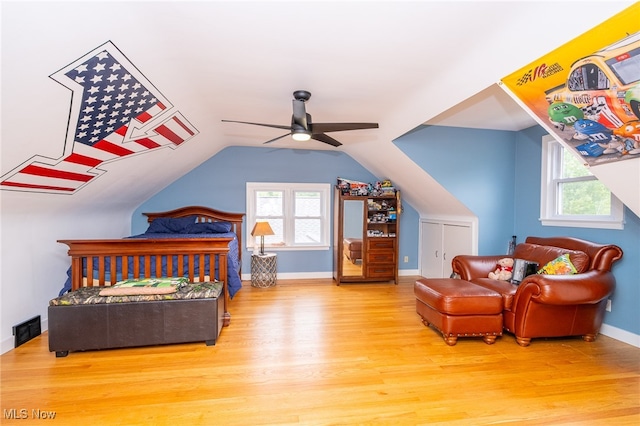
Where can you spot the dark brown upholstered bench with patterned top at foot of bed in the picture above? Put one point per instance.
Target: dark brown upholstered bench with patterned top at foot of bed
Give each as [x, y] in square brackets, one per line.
[83, 320]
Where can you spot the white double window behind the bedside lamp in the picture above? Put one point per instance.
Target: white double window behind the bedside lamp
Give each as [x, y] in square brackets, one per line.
[298, 213]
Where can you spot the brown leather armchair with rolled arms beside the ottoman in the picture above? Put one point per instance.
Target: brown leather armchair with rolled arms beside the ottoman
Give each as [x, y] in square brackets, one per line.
[550, 305]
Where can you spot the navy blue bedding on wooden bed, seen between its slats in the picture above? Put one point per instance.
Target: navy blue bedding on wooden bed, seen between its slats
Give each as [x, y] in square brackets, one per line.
[233, 263]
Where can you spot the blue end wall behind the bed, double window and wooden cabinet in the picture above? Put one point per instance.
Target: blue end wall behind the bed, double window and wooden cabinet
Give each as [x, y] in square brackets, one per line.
[220, 182]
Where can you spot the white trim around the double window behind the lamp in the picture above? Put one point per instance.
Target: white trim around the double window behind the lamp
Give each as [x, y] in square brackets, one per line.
[289, 189]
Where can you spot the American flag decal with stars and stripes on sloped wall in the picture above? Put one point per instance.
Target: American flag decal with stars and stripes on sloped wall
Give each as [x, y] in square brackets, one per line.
[115, 112]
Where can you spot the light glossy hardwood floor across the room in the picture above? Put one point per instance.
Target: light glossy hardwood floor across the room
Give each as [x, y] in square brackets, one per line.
[310, 352]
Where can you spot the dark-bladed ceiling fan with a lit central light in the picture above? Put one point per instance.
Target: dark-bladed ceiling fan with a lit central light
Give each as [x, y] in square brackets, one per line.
[302, 129]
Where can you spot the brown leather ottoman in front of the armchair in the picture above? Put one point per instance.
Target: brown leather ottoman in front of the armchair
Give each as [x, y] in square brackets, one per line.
[458, 308]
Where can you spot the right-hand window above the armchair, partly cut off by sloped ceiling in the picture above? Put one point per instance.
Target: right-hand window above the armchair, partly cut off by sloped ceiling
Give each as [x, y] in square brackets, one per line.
[571, 195]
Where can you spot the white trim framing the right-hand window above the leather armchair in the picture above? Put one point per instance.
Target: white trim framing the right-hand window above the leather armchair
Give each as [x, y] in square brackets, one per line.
[548, 197]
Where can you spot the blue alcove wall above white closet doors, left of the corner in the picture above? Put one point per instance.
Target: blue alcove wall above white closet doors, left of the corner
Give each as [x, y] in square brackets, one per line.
[476, 166]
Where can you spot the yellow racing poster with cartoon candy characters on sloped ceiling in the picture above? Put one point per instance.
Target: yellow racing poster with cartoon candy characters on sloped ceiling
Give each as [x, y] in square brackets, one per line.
[587, 92]
